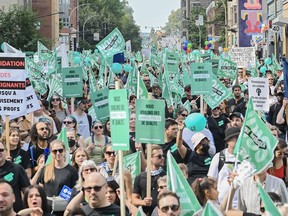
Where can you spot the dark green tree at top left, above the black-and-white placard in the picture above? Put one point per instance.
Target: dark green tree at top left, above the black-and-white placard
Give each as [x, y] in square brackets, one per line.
[18, 27]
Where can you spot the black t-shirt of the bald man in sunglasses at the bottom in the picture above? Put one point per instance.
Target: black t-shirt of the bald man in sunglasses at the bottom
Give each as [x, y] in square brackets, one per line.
[105, 211]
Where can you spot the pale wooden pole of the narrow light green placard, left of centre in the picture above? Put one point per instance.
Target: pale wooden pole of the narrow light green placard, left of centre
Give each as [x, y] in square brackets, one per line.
[121, 170]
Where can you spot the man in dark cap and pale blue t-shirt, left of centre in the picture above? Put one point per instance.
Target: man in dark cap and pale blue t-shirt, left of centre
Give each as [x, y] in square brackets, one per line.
[84, 121]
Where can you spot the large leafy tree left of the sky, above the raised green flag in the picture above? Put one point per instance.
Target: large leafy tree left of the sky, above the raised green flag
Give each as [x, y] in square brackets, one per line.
[114, 13]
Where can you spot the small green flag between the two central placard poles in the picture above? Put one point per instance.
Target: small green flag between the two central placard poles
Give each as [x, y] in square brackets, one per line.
[132, 162]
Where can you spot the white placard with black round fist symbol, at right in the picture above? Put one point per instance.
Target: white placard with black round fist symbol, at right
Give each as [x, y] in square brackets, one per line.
[259, 92]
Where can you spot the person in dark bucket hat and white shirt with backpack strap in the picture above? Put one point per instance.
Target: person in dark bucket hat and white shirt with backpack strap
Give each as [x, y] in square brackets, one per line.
[223, 162]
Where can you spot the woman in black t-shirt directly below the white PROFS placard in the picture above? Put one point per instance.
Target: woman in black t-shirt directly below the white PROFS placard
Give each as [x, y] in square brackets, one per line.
[18, 155]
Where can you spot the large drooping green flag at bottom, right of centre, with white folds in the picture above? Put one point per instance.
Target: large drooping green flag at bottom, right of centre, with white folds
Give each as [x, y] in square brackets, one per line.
[178, 184]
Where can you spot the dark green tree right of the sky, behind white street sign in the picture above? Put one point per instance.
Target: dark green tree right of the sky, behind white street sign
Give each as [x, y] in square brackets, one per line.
[194, 29]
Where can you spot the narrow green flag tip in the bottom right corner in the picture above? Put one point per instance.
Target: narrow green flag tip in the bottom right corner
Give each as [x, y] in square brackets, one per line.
[270, 208]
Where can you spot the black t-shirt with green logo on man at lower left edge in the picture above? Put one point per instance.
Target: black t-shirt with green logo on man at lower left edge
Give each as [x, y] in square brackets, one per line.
[16, 176]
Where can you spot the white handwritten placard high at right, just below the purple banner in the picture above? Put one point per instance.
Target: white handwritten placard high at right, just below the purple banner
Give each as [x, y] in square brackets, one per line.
[244, 57]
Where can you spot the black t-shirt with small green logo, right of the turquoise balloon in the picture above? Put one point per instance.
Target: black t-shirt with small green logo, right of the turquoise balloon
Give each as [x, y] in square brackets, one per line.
[217, 127]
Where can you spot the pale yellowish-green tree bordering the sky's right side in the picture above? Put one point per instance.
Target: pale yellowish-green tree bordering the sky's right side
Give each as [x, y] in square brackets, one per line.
[174, 22]
